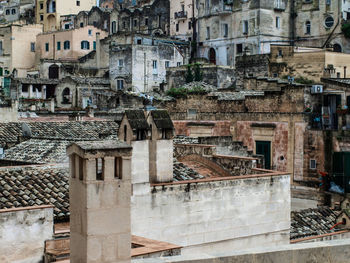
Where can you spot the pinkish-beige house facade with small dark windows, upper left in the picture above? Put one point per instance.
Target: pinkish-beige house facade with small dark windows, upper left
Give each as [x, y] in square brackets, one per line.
[75, 37]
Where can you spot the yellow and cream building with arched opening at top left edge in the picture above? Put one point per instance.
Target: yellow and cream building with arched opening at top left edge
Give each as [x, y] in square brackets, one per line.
[49, 12]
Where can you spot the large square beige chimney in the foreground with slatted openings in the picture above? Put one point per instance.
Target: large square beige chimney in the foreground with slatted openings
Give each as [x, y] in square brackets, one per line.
[99, 197]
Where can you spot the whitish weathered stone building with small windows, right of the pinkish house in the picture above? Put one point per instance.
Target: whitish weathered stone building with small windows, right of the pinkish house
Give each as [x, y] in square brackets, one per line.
[139, 62]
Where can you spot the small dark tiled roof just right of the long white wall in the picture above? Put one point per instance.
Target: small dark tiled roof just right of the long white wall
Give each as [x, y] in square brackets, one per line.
[312, 222]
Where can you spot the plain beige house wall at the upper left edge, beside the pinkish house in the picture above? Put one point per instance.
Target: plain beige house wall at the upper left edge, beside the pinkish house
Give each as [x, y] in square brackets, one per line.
[17, 52]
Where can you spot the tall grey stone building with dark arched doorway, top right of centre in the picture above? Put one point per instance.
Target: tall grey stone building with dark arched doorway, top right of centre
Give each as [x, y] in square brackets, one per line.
[227, 29]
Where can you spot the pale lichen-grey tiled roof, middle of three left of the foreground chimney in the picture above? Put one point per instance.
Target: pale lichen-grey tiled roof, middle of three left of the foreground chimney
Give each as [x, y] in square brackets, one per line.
[37, 151]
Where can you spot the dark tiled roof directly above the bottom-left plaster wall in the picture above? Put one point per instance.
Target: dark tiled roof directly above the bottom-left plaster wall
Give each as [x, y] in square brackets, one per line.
[30, 186]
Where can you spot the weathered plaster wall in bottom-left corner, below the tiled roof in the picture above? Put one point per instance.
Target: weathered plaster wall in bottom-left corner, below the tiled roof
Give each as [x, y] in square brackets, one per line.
[23, 234]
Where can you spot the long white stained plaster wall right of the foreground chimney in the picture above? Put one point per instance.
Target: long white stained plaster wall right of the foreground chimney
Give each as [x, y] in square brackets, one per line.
[213, 214]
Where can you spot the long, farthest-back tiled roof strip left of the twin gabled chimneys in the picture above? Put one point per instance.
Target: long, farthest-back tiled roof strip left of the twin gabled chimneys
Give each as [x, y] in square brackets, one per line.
[68, 130]
